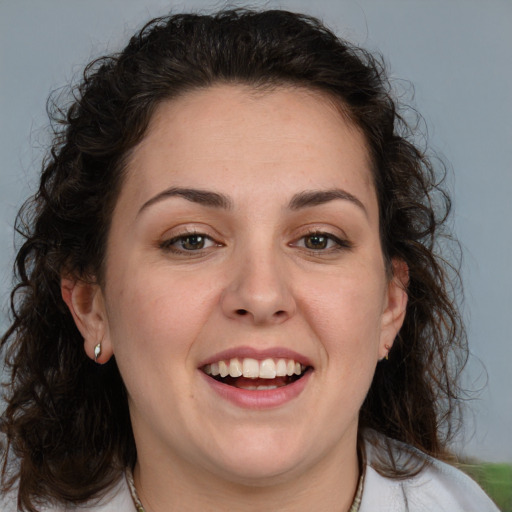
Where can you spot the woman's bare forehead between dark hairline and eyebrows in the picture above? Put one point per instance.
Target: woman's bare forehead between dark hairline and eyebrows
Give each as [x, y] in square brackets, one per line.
[233, 134]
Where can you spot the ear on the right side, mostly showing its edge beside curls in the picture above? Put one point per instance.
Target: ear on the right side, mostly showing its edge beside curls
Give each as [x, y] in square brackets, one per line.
[395, 306]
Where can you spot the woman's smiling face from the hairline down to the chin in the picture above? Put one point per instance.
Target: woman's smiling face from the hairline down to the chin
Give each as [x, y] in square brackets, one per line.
[246, 239]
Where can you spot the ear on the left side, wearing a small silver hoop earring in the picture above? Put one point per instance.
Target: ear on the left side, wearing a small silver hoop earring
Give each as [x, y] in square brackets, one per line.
[86, 304]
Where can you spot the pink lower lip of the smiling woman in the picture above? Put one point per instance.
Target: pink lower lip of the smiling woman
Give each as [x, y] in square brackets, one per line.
[258, 399]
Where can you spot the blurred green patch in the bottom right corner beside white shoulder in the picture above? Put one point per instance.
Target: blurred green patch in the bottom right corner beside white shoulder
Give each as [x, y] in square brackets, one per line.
[495, 480]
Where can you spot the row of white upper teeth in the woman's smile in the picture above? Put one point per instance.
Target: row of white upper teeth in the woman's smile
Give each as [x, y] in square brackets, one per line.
[254, 369]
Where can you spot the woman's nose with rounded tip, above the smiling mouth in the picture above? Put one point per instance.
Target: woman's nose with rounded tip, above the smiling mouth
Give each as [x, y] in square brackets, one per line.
[258, 291]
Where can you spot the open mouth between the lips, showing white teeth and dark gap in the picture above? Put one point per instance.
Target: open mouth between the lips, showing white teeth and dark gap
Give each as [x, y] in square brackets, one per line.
[252, 374]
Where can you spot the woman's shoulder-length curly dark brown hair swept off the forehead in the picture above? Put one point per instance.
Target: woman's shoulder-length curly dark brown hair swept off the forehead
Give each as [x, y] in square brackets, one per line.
[55, 390]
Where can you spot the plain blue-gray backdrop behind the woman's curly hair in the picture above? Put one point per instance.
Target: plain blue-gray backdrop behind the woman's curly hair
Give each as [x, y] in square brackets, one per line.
[457, 53]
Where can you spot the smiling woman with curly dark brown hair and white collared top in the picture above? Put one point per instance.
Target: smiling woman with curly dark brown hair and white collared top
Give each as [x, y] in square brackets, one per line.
[228, 294]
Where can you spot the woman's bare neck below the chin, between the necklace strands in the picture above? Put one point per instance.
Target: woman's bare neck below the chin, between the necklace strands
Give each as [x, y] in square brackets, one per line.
[329, 485]
